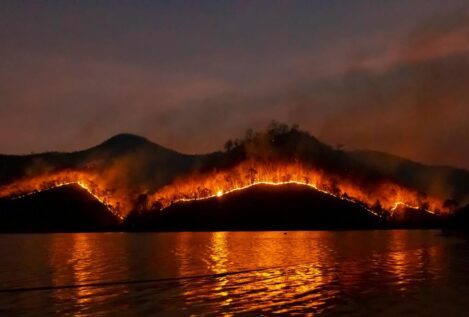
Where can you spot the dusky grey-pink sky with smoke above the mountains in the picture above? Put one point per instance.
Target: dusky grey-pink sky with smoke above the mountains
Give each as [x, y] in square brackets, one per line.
[383, 75]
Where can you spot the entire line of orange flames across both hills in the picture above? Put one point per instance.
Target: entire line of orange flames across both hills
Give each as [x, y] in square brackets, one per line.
[218, 183]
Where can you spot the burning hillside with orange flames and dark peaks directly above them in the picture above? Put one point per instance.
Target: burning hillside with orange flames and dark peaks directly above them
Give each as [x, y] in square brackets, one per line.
[139, 179]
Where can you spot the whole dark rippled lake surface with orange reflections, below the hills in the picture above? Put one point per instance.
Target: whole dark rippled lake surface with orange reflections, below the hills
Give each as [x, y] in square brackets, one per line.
[352, 273]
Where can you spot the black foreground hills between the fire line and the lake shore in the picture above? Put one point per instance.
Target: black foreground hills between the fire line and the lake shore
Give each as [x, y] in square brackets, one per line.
[70, 208]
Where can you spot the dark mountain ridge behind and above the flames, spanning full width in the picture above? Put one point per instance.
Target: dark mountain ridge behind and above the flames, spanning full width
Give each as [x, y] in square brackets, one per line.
[139, 165]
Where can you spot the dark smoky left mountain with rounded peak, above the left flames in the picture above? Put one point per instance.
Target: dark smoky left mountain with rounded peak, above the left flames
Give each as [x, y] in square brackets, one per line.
[138, 160]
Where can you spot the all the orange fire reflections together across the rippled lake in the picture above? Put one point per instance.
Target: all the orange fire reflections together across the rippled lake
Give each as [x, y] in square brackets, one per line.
[247, 273]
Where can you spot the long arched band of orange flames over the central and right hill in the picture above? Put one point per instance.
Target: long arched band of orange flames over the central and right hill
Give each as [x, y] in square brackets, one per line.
[218, 183]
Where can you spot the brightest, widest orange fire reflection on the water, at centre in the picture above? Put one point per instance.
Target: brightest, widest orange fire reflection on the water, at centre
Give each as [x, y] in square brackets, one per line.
[277, 276]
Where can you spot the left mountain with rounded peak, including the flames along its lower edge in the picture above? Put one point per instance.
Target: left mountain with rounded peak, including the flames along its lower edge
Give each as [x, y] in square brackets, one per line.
[115, 172]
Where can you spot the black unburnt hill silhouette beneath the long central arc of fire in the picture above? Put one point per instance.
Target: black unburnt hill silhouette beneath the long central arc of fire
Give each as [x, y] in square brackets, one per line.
[261, 207]
